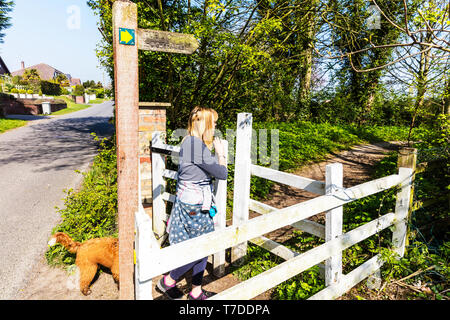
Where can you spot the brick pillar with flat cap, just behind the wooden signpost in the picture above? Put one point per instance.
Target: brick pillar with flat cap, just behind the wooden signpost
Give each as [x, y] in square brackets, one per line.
[152, 117]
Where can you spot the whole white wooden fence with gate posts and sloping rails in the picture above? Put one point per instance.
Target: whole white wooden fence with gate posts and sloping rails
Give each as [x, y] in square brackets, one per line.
[151, 260]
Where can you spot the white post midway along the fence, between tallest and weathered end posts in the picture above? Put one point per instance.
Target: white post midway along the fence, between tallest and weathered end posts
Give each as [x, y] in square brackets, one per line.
[333, 222]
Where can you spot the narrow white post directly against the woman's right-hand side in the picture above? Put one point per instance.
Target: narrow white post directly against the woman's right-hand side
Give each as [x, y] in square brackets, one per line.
[221, 217]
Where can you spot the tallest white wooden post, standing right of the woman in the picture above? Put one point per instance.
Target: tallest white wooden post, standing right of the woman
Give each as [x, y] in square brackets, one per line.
[241, 196]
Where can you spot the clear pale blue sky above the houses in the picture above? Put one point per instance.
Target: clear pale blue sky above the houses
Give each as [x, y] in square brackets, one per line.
[60, 33]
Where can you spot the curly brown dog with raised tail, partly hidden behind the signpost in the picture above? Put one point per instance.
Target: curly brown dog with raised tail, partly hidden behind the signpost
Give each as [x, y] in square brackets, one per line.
[90, 254]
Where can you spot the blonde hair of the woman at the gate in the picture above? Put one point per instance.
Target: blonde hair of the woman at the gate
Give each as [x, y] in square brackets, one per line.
[201, 124]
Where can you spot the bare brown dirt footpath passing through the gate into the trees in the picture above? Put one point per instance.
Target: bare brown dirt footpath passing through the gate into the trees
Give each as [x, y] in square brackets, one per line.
[54, 283]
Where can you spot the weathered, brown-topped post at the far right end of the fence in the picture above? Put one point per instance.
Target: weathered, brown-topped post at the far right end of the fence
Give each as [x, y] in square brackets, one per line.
[407, 158]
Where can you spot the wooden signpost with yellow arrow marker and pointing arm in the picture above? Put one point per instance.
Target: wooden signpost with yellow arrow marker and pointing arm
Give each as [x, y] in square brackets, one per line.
[127, 40]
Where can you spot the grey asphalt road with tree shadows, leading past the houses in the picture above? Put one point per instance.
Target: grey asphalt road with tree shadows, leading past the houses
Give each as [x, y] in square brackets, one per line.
[37, 162]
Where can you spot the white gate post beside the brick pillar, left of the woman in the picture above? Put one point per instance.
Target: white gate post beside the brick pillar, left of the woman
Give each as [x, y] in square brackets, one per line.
[159, 186]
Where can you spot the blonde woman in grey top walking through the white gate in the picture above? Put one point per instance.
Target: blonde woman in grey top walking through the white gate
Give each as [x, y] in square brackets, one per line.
[194, 204]
